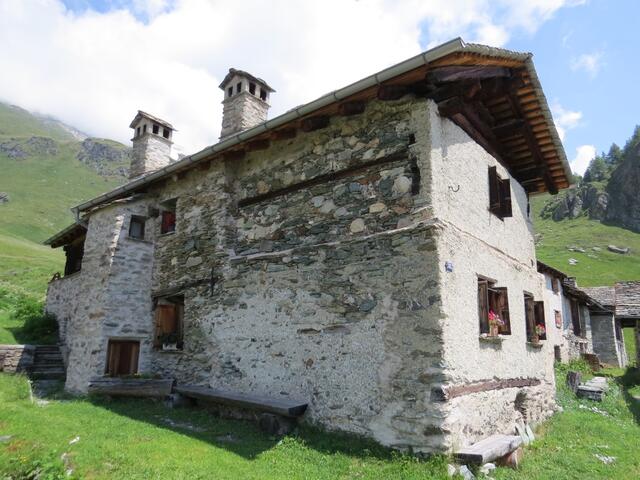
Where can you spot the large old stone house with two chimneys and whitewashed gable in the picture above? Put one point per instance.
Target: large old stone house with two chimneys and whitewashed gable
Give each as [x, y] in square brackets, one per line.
[349, 253]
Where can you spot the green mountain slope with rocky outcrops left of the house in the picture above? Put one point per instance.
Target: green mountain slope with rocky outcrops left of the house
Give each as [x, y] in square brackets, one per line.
[46, 170]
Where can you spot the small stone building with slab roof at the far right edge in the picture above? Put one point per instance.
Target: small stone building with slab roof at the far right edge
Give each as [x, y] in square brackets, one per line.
[623, 304]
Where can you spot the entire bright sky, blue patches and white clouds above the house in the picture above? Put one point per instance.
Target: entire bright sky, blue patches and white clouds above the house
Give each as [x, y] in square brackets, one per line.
[93, 63]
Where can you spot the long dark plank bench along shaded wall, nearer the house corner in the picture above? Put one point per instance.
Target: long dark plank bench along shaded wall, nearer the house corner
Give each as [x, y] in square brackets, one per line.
[279, 406]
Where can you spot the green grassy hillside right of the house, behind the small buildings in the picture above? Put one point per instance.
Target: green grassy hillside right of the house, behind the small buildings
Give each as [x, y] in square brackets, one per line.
[594, 267]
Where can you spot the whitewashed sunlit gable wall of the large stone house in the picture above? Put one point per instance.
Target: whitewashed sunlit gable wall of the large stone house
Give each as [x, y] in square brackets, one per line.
[475, 243]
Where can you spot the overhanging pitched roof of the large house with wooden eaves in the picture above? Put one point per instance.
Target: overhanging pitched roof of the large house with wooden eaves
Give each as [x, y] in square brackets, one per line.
[523, 126]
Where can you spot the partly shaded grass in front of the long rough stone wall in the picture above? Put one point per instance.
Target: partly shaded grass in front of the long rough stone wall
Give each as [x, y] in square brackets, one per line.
[134, 439]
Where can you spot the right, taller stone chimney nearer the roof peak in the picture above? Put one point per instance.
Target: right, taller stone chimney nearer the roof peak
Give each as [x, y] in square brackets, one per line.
[245, 104]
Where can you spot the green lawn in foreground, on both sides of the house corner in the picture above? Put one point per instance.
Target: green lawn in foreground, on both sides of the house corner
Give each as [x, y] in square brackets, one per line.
[143, 439]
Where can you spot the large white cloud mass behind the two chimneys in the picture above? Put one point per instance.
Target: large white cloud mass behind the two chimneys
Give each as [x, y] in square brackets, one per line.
[94, 70]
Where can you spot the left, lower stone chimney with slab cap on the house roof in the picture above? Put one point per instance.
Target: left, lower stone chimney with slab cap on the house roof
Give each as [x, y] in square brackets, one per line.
[151, 144]
